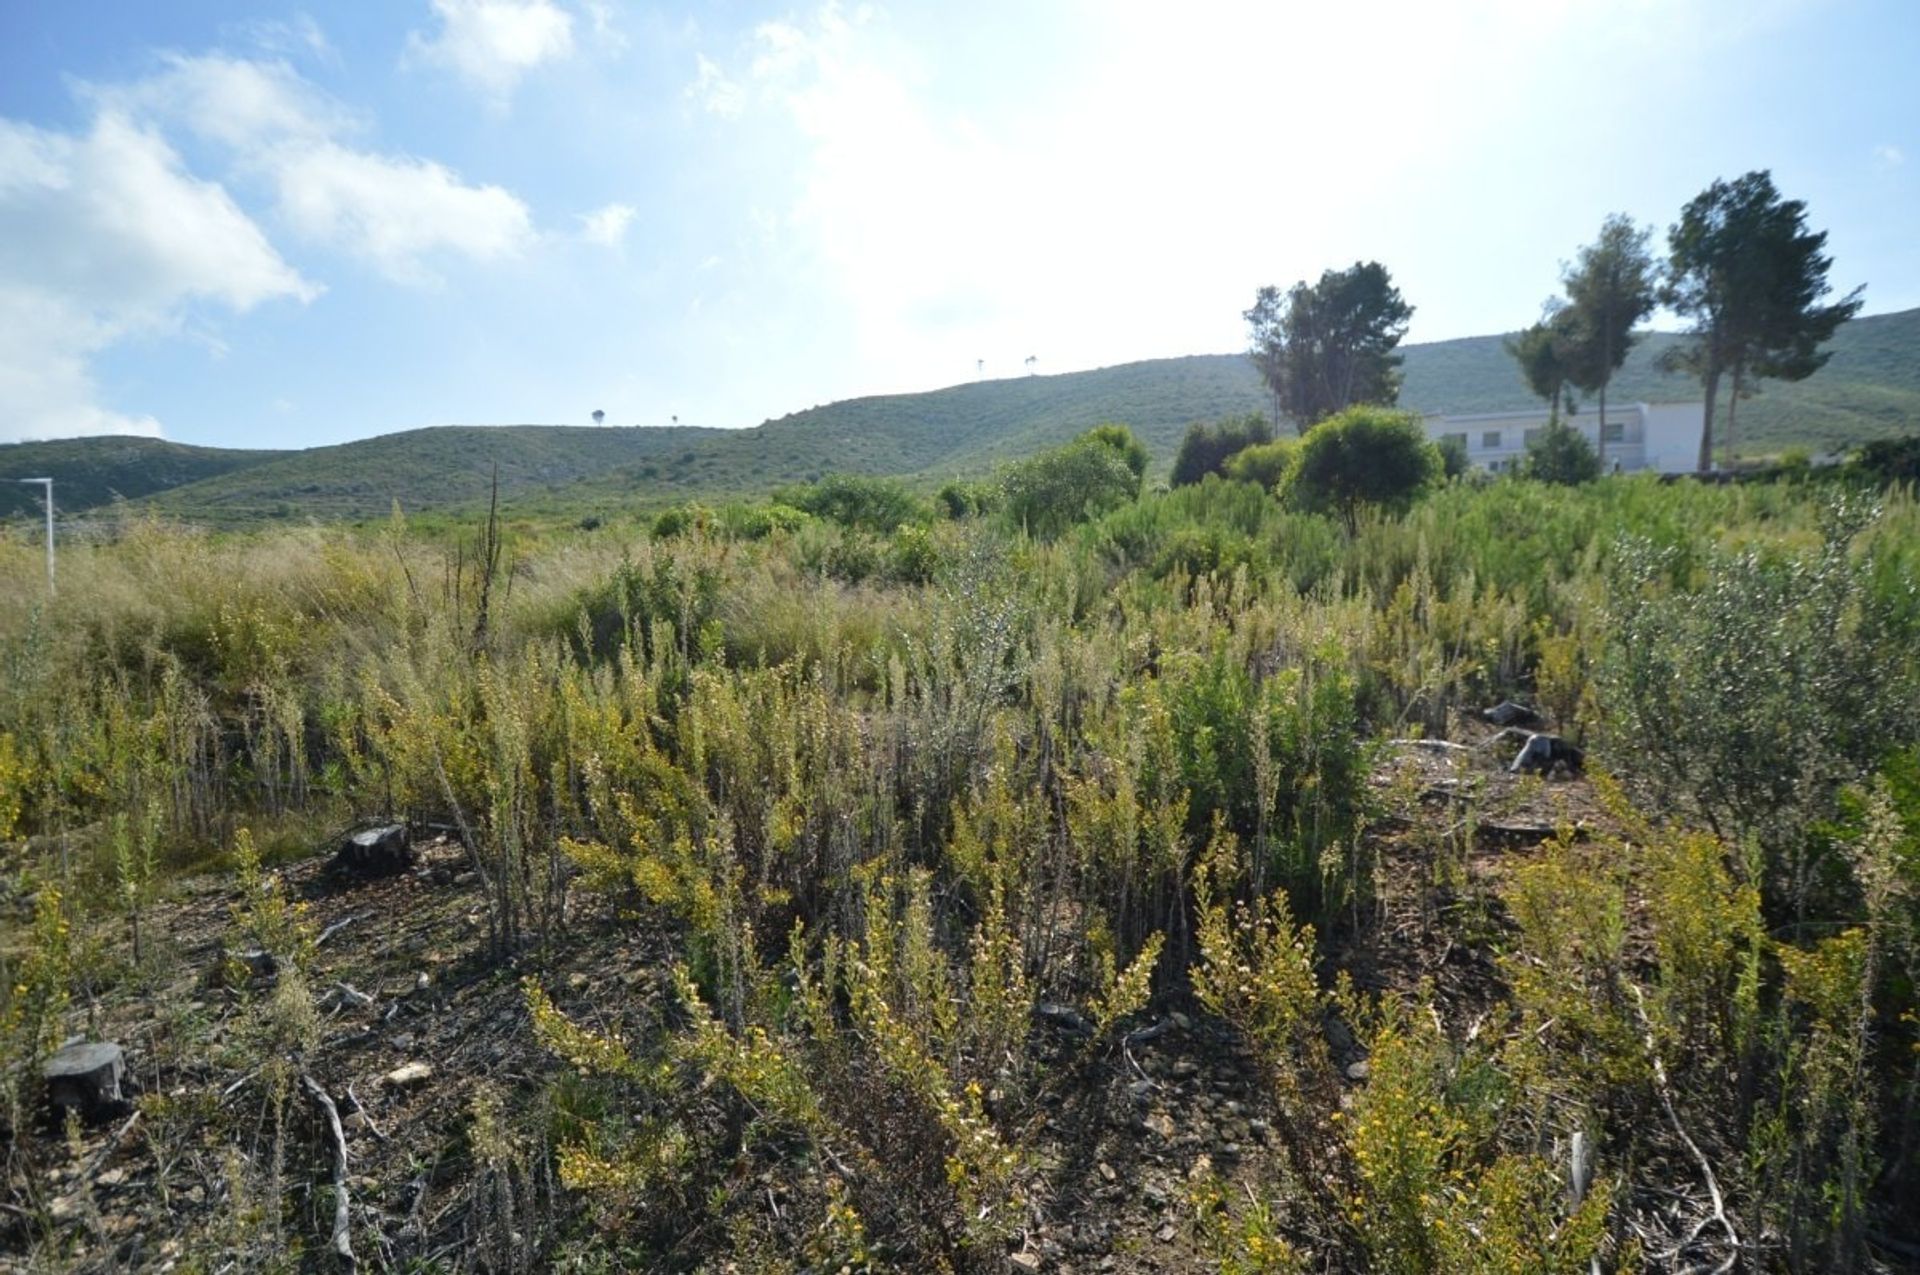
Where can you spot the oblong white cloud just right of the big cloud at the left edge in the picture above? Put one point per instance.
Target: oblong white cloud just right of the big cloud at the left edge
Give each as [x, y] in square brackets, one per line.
[395, 212]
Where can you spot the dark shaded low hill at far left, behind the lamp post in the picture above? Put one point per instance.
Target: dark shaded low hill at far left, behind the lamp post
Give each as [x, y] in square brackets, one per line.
[95, 471]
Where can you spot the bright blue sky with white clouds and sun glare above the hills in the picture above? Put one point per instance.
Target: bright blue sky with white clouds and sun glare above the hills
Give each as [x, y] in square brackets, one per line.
[283, 226]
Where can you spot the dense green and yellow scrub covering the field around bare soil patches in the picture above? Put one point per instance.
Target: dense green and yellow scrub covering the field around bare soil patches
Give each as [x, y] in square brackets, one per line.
[930, 821]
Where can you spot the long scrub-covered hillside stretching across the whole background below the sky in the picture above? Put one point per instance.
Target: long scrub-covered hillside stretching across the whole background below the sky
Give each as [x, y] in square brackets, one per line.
[1869, 391]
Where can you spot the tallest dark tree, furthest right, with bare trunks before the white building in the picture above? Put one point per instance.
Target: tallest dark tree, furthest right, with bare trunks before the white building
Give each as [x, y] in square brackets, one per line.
[1748, 272]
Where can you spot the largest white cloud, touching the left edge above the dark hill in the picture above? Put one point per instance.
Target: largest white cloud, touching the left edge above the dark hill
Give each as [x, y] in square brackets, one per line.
[107, 235]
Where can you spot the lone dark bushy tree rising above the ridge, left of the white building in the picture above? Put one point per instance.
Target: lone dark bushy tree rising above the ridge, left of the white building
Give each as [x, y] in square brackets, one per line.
[1328, 347]
